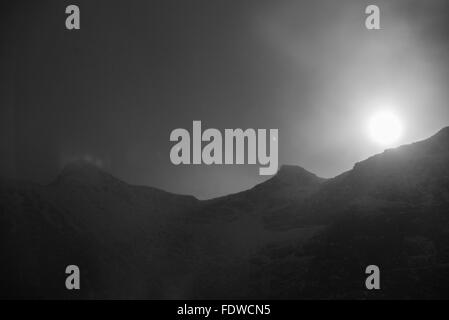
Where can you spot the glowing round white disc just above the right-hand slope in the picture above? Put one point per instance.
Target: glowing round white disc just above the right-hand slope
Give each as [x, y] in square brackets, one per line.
[385, 128]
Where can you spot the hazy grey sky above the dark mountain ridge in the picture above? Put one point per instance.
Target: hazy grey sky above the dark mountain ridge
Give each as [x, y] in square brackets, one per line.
[113, 91]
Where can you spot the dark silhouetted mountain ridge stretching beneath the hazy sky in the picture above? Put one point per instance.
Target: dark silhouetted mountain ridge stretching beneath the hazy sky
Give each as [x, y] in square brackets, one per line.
[294, 236]
